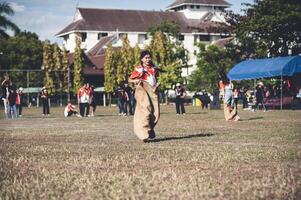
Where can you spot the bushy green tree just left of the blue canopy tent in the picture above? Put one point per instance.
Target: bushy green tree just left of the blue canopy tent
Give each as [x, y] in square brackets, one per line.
[211, 60]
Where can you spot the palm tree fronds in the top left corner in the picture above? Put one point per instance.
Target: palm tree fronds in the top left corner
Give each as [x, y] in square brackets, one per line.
[5, 10]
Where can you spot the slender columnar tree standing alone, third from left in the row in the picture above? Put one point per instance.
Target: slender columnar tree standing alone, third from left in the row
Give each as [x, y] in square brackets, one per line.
[78, 66]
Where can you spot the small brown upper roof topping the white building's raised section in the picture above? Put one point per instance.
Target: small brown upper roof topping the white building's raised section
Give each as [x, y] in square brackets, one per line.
[199, 2]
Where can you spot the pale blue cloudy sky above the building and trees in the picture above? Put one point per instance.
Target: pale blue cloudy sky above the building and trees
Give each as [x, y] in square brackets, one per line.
[48, 17]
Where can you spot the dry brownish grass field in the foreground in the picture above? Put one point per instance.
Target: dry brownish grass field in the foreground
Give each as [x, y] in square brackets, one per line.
[196, 156]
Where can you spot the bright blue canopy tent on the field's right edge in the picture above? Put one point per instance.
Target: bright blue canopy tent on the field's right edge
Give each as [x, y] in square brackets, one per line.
[264, 68]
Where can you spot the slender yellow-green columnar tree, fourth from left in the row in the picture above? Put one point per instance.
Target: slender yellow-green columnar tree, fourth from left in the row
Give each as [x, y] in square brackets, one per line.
[109, 70]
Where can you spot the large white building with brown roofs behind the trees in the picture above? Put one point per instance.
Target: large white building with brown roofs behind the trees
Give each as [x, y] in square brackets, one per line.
[199, 20]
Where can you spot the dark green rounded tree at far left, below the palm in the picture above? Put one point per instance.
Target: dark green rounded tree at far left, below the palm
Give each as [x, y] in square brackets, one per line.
[22, 52]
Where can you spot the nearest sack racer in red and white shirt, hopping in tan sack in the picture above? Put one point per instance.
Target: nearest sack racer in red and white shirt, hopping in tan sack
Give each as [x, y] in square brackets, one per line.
[147, 110]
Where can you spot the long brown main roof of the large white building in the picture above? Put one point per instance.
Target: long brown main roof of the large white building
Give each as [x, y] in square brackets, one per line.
[127, 21]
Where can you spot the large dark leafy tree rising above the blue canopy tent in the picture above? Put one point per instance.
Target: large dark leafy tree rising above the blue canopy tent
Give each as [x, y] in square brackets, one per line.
[268, 27]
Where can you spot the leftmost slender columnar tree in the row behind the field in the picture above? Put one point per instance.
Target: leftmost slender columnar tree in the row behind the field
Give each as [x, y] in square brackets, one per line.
[48, 66]
